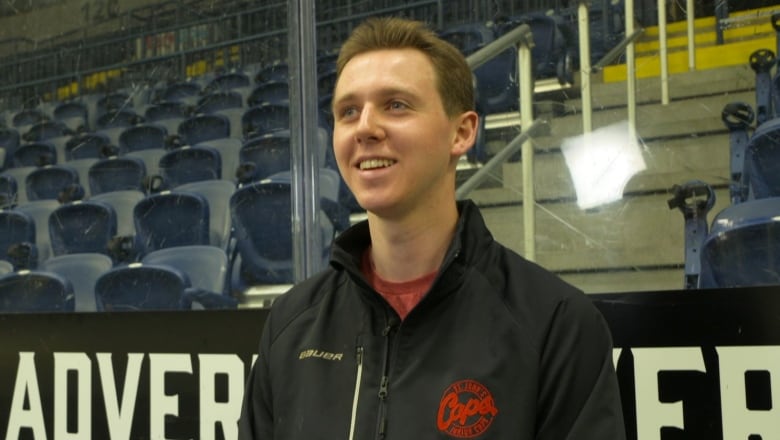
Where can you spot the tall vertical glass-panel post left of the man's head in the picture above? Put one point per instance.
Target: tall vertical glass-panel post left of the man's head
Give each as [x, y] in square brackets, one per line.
[304, 161]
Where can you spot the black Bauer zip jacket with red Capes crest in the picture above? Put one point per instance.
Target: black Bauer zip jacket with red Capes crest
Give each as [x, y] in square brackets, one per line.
[499, 348]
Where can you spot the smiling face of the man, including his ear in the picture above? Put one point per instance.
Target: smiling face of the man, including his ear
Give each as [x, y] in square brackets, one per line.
[393, 141]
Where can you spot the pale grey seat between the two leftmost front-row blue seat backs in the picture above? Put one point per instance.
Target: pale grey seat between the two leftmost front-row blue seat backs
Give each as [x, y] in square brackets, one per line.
[83, 271]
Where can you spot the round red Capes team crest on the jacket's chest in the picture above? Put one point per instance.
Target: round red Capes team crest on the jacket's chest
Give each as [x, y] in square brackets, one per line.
[466, 409]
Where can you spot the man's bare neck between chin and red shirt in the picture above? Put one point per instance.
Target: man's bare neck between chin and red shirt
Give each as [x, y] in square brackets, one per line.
[408, 248]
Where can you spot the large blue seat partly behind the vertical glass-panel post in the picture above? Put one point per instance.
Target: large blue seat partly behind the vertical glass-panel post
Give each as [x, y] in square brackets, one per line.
[261, 214]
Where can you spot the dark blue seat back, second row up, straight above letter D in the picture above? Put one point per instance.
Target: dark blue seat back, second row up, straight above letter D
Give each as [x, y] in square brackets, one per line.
[82, 227]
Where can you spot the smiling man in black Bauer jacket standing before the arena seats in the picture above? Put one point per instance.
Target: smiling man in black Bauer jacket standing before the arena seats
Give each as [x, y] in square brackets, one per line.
[424, 327]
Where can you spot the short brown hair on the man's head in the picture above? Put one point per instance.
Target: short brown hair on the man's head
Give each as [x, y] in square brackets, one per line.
[453, 75]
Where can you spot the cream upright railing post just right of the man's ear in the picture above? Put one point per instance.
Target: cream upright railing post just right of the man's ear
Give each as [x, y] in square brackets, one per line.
[525, 73]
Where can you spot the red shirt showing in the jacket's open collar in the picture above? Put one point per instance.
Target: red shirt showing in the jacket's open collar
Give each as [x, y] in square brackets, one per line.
[402, 296]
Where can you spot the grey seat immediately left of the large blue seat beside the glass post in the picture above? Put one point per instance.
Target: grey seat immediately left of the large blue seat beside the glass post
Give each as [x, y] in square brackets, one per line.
[217, 193]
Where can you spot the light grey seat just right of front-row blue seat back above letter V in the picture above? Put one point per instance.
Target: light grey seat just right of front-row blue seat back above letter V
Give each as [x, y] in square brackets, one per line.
[205, 266]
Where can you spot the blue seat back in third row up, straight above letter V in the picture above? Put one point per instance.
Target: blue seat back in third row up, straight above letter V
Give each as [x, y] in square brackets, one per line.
[117, 174]
